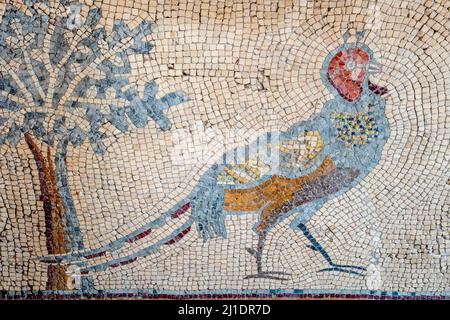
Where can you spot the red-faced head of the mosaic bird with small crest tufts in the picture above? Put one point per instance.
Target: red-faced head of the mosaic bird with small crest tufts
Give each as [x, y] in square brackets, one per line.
[348, 67]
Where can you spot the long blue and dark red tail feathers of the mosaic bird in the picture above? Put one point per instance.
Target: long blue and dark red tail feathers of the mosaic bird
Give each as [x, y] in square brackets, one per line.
[106, 256]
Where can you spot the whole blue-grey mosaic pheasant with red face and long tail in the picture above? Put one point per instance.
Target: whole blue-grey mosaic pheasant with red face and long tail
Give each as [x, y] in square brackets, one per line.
[279, 174]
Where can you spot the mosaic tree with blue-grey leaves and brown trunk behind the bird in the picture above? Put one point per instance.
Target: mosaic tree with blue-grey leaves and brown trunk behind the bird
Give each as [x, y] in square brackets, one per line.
[63, 78]
